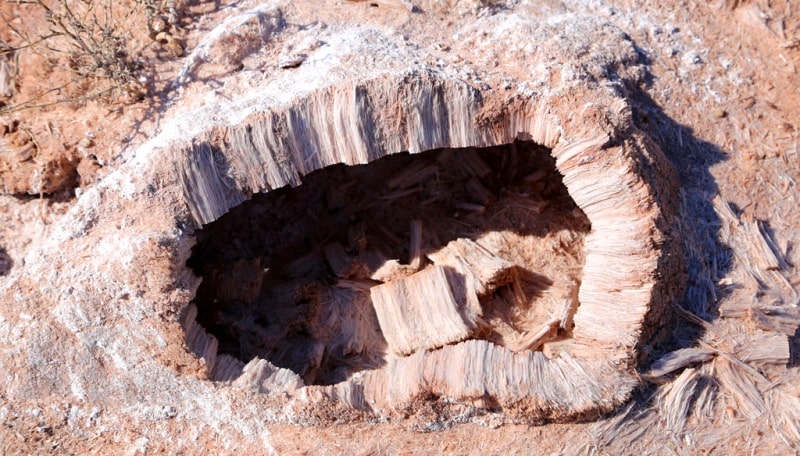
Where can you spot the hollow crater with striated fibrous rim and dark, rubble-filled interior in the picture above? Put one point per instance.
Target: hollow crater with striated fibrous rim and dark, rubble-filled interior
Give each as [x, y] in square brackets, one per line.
[630, 269]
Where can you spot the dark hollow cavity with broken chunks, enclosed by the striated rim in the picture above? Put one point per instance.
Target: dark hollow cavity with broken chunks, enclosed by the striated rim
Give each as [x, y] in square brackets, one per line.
[329, 278]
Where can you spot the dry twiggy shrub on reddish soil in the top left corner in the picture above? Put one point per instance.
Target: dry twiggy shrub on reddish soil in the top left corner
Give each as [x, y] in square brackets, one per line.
[95, 40]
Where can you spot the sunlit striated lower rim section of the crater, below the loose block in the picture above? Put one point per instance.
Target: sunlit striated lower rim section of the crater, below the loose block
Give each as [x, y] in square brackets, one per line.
[479, 368]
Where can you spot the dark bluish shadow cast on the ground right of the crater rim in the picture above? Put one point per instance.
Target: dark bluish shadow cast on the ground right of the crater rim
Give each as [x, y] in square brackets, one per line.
[707, 258]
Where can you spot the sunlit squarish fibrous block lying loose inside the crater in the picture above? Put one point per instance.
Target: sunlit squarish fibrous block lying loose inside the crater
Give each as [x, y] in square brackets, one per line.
[424, 311]
